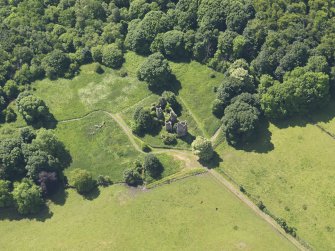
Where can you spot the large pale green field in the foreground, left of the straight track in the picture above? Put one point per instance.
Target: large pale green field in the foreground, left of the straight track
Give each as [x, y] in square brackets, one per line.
[171, 217]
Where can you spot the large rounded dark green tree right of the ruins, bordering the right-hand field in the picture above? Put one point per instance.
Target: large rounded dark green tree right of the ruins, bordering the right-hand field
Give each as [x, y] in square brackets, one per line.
[240, 122]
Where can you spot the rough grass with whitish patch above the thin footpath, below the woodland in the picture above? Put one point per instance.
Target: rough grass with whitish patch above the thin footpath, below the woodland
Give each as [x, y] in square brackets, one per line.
[90, 91]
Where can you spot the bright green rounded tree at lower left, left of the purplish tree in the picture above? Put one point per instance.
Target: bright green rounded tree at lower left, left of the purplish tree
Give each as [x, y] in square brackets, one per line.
[27, 197]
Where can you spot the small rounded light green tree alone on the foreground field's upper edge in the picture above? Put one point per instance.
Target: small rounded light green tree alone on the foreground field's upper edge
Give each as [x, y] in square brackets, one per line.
[81, 180]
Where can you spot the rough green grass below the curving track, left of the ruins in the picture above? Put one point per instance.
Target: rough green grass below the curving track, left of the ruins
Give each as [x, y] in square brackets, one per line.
[97, 144]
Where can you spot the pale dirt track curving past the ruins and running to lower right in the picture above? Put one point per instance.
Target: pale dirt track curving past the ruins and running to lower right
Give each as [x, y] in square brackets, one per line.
[191, 161]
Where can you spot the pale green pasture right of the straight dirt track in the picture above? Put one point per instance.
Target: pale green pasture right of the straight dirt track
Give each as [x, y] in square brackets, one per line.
[295, 180]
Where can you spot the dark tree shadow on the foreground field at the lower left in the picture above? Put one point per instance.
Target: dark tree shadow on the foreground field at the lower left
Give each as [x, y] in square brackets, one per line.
[11, 215]
